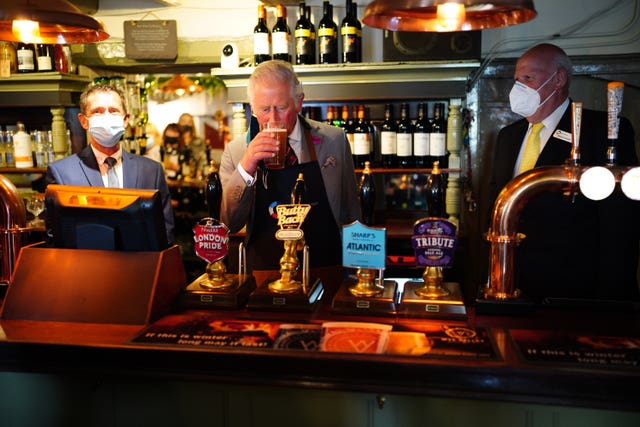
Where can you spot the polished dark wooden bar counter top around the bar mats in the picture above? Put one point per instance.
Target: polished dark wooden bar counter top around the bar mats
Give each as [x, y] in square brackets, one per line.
[62, 348]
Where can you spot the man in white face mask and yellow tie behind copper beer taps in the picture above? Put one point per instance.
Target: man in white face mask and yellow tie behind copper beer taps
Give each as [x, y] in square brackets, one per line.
[573, 248]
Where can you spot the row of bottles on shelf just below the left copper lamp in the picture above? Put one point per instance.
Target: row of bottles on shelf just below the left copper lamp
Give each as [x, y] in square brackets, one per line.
[31, 58]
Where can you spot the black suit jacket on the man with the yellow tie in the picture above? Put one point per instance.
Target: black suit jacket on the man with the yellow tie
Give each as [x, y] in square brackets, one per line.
[583, 248]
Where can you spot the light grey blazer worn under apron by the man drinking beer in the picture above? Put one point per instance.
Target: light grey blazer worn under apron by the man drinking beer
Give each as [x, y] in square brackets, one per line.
[336, 165]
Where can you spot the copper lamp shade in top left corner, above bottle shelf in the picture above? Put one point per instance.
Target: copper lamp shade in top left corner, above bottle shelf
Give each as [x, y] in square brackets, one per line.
[55, 22]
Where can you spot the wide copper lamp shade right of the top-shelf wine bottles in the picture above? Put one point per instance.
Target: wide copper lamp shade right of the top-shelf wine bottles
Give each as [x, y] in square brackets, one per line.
[447, 15]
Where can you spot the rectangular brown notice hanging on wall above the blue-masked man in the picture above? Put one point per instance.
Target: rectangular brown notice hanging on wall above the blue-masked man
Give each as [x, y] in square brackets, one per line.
[151, 39]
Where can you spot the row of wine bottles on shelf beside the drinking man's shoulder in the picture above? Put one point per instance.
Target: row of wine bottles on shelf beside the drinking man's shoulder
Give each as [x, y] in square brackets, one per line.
[398, 142]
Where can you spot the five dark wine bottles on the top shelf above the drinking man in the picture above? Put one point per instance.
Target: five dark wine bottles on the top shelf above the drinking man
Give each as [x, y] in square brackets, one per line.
[277, 42]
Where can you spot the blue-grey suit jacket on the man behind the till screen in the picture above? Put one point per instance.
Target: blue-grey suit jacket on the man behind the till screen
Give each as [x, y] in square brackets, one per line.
[138, 172]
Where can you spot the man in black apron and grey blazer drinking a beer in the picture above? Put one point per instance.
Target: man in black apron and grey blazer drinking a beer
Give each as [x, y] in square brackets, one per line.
[322, 154]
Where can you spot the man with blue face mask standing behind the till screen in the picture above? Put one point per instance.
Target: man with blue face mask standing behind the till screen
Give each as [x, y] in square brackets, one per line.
[103, 162]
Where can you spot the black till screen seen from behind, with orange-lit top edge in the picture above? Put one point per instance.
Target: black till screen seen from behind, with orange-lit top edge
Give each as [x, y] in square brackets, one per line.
[80, 217]
